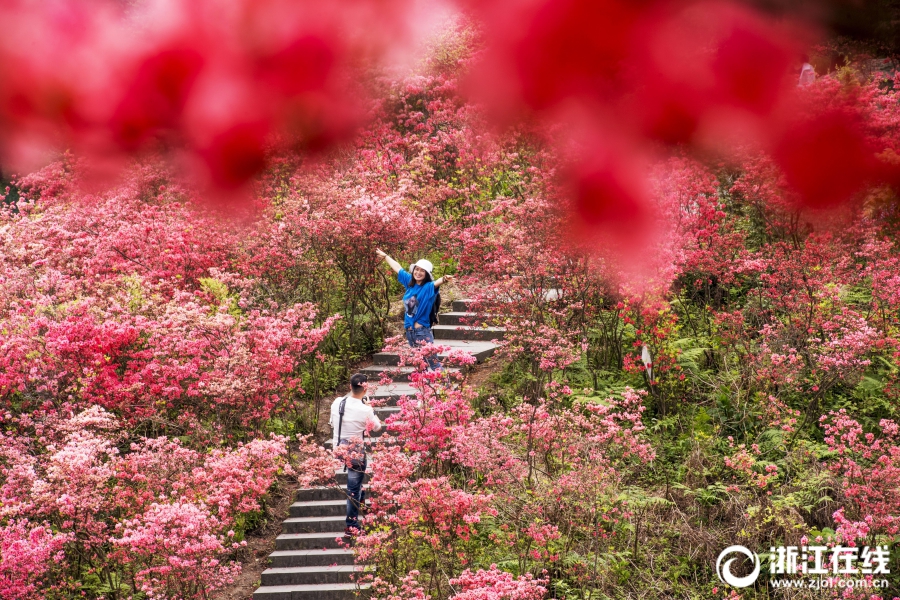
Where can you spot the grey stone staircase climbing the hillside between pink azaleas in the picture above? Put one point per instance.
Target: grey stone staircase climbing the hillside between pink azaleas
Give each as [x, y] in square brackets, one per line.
[311, 561]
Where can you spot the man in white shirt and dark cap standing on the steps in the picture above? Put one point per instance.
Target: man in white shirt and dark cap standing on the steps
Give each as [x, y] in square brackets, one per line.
[358, 419]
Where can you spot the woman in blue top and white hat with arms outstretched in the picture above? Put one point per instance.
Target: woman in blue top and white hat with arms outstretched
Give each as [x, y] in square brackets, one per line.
[418, 299]
